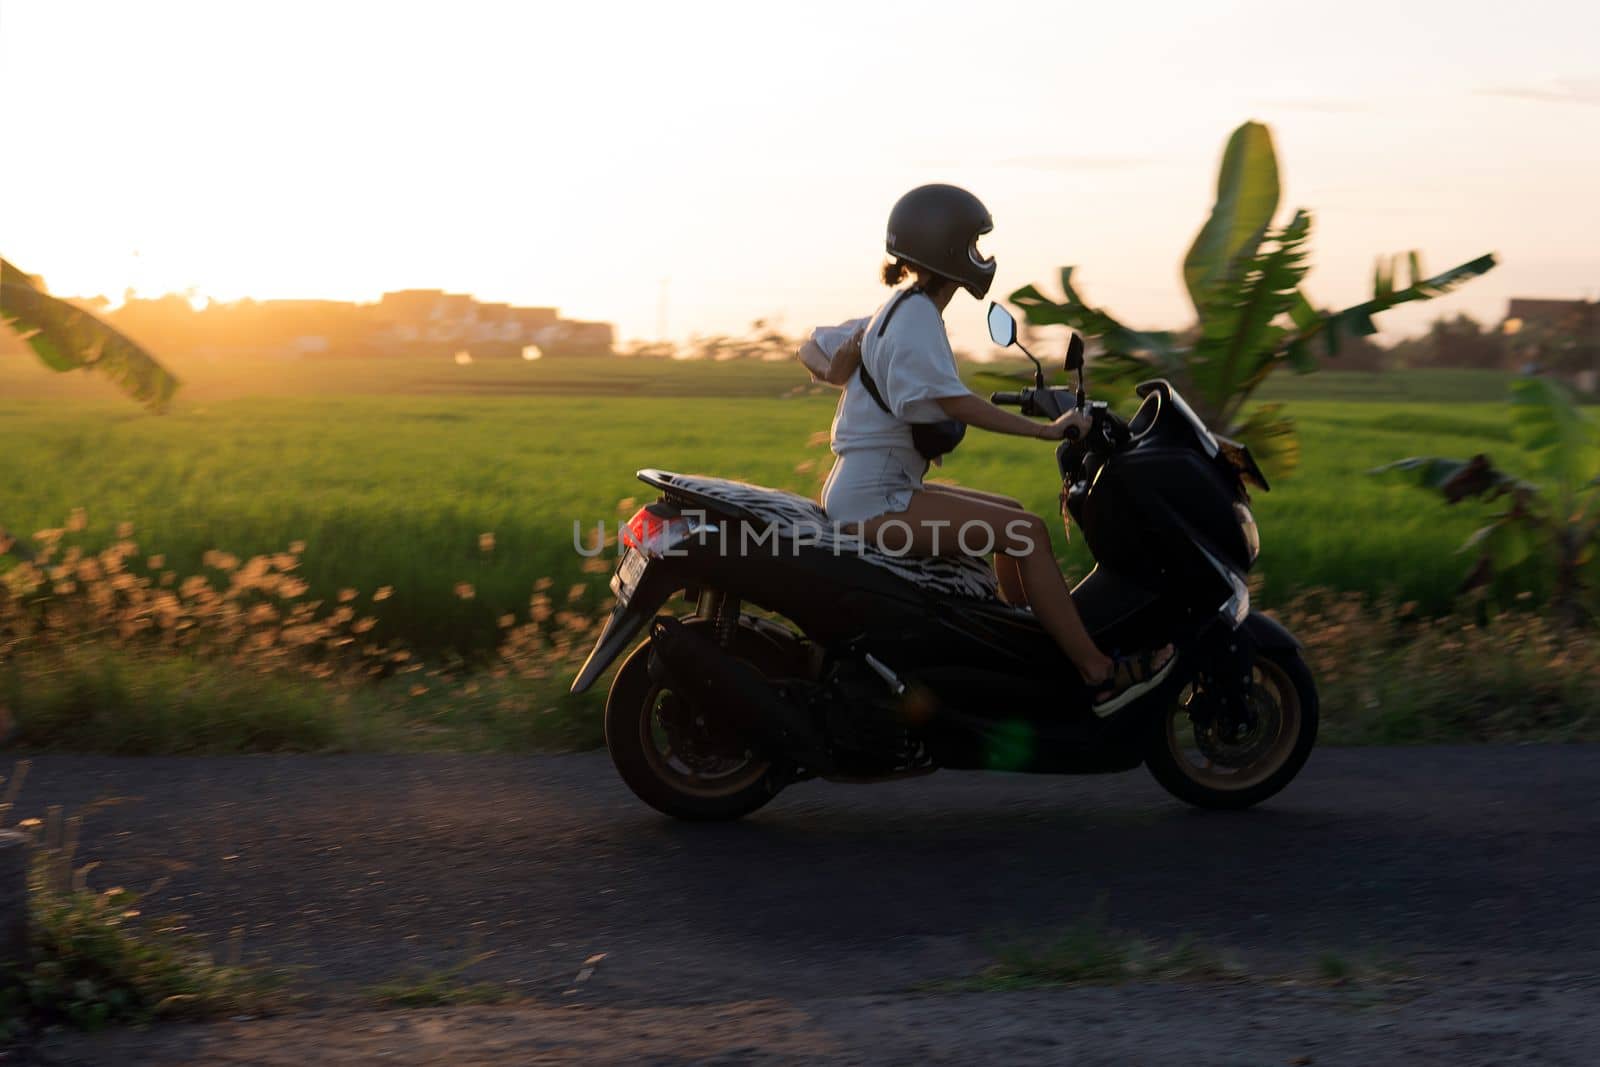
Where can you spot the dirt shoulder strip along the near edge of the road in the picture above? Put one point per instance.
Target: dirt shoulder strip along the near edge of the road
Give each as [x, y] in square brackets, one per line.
[1537, 1021]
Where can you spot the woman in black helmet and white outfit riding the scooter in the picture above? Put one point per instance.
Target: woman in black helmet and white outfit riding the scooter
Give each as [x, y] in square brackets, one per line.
[905, 406]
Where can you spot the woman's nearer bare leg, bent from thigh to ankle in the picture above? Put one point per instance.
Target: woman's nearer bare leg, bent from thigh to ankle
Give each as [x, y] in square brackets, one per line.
[935, 519]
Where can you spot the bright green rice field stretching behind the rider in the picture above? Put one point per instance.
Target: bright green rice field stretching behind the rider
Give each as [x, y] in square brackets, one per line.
[393, 471]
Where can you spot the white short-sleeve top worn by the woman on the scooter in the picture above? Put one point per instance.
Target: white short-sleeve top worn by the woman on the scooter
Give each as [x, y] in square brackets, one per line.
[913, 366]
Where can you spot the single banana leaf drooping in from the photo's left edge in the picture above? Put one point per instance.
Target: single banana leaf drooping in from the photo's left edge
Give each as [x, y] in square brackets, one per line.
[68, 338]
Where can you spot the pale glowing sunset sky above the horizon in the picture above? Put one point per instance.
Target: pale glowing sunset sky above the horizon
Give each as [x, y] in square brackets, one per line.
[582, 154]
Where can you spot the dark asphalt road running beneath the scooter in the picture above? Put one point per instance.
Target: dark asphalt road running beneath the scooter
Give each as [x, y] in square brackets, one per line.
[356, 869]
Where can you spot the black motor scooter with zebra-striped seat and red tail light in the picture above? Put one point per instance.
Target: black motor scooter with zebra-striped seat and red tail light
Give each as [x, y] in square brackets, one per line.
[814, 655]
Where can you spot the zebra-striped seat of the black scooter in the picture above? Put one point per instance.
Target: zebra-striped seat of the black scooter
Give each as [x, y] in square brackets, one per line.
[793, 518]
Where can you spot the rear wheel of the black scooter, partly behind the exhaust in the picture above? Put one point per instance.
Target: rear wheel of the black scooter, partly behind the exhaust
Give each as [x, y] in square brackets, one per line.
[673, 756]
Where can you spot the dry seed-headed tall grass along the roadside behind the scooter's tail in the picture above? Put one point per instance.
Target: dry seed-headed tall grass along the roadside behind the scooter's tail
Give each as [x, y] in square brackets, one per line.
[116, 652]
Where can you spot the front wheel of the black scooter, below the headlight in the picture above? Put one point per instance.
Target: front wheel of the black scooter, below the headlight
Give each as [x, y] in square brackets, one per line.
[1230, 761]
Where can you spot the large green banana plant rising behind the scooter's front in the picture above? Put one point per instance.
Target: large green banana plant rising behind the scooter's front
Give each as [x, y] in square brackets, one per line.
[1246, 279]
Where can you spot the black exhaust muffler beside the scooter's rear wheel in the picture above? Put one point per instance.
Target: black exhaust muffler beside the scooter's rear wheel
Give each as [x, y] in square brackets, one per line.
[719, 684]
